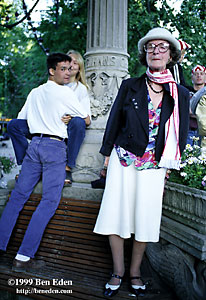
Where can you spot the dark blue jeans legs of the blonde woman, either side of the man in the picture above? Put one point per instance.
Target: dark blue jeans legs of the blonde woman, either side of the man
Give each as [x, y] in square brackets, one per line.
[18, 131]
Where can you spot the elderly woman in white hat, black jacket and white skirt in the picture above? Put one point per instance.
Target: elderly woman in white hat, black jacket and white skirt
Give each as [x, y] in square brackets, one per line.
[145, 135]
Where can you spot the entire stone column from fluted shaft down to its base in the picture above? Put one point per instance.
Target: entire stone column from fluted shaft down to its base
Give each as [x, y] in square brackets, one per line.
[106, 65]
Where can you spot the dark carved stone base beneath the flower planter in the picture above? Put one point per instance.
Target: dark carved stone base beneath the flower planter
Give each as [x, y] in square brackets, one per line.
[185, 274]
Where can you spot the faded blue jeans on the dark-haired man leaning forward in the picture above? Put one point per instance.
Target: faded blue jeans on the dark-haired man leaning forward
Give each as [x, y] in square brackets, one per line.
[46, 157]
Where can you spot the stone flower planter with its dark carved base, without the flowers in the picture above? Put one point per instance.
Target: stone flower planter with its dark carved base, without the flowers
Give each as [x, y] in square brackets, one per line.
[180, 257]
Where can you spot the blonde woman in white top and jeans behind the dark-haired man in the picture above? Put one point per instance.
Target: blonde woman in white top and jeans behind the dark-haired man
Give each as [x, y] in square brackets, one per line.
[19, 133]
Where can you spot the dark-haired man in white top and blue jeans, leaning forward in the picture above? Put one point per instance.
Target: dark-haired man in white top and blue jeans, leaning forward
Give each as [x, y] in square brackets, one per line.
[45, 157]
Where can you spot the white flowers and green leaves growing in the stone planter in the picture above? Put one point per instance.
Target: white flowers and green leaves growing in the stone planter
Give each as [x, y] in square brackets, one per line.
[193, 168]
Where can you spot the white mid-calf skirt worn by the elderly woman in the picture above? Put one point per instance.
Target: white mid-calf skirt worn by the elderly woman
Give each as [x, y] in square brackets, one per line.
[132, 202]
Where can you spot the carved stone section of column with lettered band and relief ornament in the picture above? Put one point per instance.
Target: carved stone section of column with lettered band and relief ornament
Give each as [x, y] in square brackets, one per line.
[104, 74]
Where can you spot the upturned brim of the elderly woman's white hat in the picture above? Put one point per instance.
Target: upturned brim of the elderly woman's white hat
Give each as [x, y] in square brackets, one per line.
[159, 36]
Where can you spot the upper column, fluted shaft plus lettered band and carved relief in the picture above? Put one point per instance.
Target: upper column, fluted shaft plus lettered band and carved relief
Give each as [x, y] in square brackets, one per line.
[106, 59]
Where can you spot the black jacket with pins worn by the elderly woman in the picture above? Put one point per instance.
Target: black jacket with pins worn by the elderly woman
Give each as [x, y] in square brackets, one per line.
[128, 123]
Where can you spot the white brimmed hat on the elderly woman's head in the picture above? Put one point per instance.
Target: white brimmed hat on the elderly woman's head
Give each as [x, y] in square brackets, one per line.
[158, 33]
